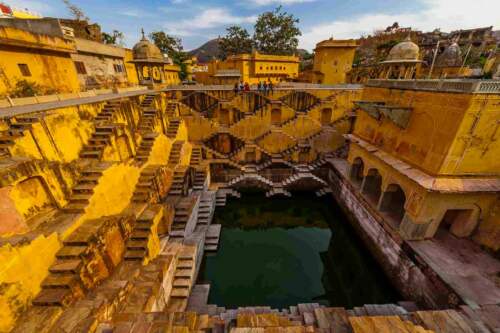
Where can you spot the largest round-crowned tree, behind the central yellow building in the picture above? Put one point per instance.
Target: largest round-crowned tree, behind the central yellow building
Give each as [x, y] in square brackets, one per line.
[276, 32]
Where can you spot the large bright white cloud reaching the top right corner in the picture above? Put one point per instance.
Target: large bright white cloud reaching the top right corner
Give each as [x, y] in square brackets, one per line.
[447, 15]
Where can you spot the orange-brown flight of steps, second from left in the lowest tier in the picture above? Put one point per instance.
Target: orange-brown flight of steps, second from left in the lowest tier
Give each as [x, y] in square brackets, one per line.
[137, 245]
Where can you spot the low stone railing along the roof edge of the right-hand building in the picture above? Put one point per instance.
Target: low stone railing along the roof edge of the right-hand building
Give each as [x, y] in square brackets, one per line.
[462, 86]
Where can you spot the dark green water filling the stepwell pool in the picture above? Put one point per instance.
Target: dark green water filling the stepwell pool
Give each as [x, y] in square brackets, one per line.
[281, 252]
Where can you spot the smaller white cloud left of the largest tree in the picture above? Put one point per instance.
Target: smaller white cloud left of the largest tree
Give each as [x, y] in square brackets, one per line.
[207, 19]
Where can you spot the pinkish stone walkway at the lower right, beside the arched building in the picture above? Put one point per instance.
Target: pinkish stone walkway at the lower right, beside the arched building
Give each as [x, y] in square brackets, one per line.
[462, 264]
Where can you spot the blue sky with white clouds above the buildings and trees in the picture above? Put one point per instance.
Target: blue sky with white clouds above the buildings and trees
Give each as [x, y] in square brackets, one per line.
[197, 21]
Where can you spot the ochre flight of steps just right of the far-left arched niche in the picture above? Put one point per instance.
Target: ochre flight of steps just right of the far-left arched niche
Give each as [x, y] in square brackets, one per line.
[84, 189]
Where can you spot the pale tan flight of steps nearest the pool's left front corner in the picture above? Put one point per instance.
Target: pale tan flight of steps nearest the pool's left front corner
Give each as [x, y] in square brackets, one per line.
[183, 279]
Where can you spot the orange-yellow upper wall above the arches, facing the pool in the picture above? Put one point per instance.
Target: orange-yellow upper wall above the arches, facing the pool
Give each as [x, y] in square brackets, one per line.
[435, 119]
